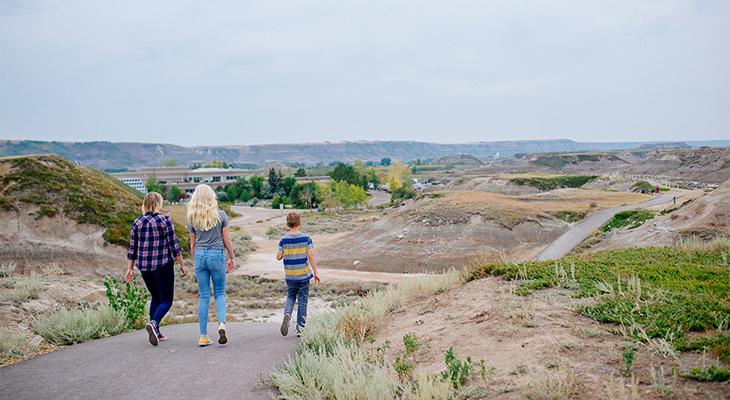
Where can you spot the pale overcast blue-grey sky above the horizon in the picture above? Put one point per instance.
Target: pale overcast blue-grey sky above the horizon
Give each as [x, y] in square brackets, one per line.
[255, 72]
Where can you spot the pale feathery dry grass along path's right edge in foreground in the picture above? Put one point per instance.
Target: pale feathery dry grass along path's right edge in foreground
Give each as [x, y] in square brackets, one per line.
[333, 363]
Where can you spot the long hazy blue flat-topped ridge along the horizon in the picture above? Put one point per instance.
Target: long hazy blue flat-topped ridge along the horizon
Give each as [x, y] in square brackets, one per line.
[133, 155]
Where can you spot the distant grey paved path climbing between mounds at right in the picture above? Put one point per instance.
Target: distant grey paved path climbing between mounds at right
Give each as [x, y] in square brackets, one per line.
[572, 238]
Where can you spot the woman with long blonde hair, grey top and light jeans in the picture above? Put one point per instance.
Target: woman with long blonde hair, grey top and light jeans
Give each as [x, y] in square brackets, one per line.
[209, 236]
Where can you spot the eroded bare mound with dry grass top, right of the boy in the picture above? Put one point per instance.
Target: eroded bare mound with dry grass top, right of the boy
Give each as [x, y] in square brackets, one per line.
[449, 229]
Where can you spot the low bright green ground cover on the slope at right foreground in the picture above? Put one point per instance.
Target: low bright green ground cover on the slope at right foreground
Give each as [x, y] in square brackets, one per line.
[664, 292]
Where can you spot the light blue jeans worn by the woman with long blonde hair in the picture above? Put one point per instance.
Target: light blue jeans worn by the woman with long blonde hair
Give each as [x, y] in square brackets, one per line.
[210, 263]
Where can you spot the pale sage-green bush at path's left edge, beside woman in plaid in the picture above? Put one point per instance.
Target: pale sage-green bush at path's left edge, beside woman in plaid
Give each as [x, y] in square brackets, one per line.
[66, 327]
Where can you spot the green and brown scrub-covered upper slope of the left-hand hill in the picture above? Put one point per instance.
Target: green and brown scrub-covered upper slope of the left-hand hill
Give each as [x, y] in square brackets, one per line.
[50, 186]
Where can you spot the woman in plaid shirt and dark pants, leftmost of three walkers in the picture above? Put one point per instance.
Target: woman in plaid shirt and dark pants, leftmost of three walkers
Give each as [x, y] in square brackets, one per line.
[153, 247]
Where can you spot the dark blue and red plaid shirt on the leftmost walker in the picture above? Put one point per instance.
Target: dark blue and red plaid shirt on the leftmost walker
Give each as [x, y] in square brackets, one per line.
[152, 241]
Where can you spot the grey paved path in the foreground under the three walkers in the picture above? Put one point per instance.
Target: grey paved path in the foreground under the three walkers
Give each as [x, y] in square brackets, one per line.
[128, 367]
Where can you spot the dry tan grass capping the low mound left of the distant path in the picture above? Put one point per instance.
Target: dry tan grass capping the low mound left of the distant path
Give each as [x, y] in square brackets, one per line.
[459, 207]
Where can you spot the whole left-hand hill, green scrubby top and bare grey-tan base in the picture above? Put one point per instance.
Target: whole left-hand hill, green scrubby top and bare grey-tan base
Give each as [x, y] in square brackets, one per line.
[53, 211]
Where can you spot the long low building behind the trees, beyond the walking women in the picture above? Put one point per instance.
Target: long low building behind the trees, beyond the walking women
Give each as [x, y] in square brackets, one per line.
[184, 178]
